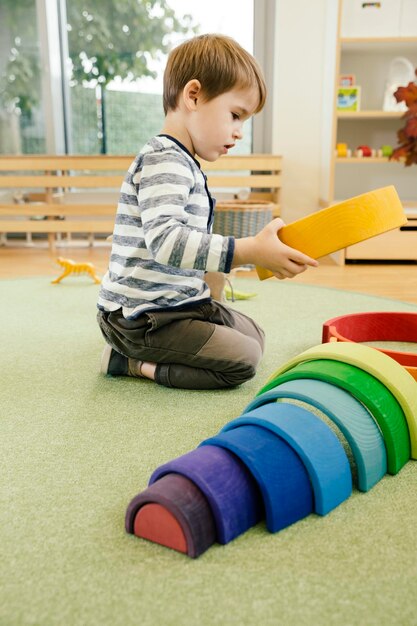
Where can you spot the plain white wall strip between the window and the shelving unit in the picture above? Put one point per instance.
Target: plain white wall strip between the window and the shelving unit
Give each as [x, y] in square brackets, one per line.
[297, 102]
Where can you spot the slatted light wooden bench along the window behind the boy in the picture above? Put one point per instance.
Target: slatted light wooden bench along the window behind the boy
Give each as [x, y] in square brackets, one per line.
[51, 195]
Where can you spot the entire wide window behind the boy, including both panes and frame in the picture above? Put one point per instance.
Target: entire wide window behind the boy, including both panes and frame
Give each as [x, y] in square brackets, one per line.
[103, 60]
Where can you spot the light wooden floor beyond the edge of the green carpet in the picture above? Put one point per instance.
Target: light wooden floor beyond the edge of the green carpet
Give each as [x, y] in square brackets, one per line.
[398, 281]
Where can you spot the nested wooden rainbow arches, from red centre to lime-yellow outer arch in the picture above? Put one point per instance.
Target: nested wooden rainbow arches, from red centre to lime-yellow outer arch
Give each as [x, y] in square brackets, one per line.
[280, 461]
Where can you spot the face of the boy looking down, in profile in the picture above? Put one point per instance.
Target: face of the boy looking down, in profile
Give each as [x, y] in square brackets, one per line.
[217, 124]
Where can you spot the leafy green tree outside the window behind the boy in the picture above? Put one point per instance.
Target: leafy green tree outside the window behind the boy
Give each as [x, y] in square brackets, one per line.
[118, 41]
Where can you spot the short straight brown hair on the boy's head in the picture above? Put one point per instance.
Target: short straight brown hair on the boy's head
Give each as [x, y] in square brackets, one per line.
[218, 62]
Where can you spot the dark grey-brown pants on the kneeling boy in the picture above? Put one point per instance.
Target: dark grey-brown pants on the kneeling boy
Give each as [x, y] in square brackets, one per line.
[207, 347]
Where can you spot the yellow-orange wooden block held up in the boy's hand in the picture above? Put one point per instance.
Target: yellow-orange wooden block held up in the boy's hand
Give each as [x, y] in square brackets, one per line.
[343, 224]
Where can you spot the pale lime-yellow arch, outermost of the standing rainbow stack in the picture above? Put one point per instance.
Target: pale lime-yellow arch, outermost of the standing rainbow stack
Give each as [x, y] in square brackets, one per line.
[391, 374]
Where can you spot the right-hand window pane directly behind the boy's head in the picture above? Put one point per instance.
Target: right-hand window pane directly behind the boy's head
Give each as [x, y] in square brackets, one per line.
[117, 63]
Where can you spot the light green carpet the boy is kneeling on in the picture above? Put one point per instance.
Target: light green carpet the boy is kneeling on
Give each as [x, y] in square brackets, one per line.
[77, 446]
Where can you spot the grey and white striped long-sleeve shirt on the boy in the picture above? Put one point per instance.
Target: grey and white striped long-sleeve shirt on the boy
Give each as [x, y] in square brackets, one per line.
[162, 243]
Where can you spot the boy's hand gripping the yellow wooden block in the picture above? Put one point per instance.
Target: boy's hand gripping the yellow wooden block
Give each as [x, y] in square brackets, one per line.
[266, 250]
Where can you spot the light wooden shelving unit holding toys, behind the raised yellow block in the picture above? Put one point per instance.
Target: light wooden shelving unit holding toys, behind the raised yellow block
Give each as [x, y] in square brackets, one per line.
[368, 58]
